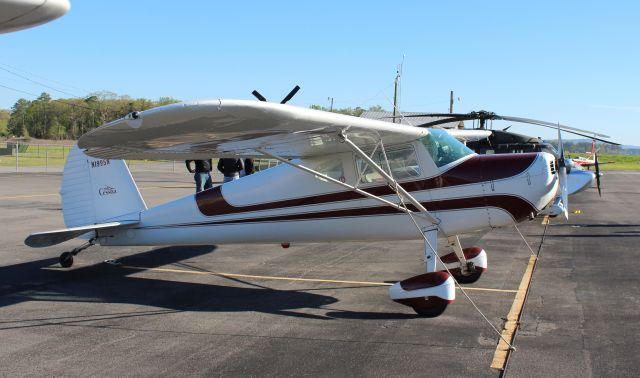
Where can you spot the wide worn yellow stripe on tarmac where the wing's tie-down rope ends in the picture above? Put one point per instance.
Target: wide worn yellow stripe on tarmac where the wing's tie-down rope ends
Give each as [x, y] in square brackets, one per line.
[508, 332]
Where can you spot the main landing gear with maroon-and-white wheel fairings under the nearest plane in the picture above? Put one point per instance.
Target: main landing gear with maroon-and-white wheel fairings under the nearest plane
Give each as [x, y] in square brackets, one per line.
[430, 293]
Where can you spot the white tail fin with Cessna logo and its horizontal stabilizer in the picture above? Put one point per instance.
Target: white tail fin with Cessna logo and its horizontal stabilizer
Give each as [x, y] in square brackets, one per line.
[96, 194]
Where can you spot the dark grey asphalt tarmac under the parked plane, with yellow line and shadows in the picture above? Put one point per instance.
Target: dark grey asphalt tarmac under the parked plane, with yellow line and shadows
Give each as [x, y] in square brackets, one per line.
[162, 311]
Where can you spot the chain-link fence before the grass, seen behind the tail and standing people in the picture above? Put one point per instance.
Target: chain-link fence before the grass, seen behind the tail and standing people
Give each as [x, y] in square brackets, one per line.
[26, 157]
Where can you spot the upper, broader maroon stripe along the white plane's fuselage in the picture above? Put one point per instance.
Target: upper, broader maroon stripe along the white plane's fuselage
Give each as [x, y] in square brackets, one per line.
[472, 171]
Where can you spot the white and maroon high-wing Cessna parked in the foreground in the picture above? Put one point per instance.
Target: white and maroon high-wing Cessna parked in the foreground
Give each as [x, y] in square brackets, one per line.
[342, 178]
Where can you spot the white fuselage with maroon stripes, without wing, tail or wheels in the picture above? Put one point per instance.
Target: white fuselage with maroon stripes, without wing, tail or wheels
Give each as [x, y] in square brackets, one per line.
[284, 204]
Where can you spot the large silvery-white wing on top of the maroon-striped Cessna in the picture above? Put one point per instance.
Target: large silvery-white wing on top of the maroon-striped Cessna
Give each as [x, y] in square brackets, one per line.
[231, 128]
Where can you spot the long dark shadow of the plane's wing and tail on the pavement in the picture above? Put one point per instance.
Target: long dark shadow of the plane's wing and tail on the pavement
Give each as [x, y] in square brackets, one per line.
[105, 283]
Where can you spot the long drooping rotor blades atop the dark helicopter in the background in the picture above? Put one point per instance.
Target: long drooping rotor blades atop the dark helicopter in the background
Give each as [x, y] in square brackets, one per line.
[484, 115]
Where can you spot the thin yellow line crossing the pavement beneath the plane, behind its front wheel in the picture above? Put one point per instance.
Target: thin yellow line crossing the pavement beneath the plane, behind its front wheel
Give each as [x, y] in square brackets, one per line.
[236, 275]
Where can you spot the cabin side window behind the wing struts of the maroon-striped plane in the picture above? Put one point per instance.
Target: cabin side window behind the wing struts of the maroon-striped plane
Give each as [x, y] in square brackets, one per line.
[402, 161]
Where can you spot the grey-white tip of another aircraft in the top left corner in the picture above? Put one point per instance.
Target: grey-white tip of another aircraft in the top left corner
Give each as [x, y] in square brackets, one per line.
[22, 14]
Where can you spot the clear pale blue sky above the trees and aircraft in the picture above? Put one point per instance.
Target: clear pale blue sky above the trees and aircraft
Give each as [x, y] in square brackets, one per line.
[574, 62]
